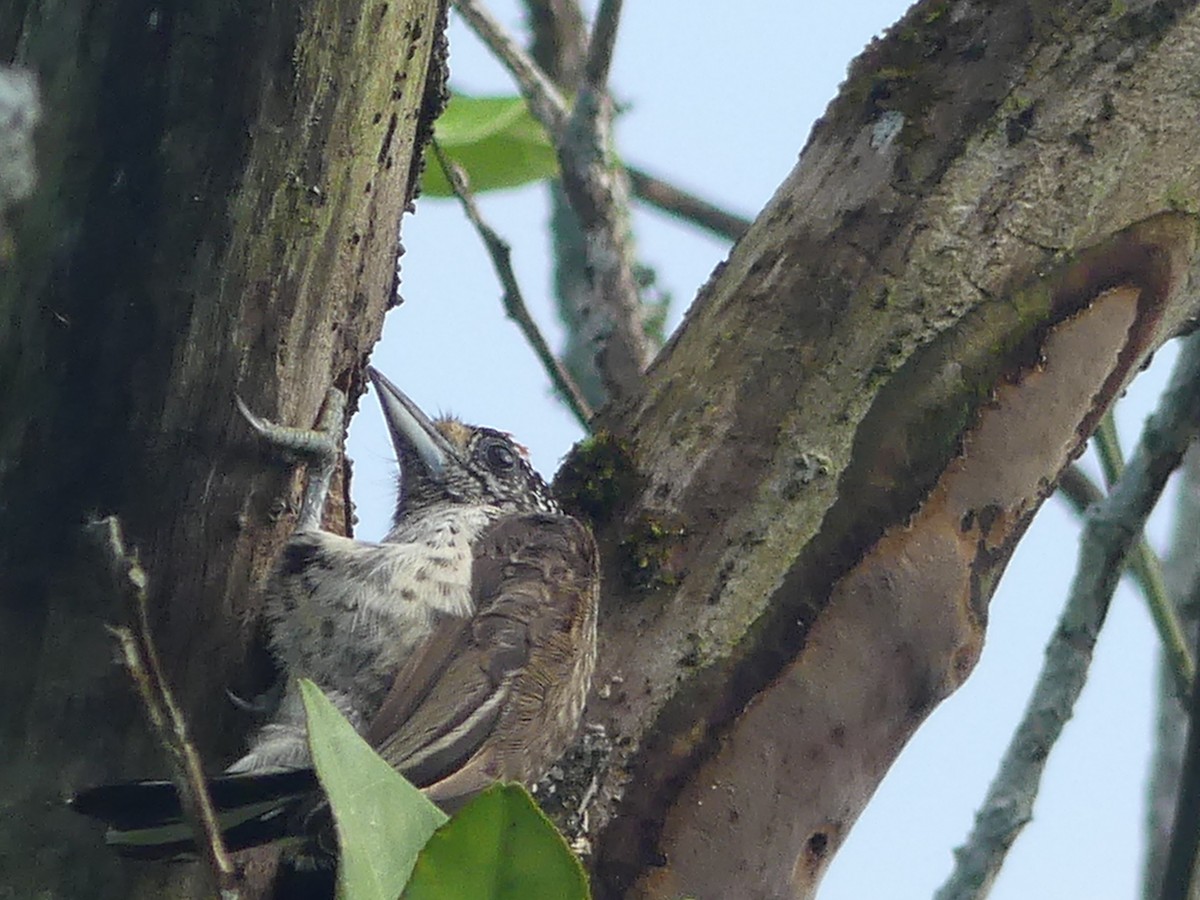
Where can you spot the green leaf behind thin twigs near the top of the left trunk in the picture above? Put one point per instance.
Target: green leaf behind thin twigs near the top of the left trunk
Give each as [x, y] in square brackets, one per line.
[496, 141]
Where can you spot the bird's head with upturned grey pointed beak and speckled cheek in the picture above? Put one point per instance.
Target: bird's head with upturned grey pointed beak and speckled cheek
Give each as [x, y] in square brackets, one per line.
[446, 461]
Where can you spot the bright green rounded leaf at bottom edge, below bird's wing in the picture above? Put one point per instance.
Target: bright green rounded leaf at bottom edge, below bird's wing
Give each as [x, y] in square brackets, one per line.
[500, 847]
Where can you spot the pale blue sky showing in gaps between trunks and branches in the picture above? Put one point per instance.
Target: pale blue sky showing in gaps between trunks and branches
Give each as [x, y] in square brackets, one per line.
[722, 103]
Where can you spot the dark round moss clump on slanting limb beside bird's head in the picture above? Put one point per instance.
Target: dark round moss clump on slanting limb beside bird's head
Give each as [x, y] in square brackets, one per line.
[598, 478]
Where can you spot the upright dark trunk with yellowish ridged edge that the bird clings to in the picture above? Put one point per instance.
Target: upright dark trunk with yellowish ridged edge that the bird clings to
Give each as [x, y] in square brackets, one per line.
[218, 212]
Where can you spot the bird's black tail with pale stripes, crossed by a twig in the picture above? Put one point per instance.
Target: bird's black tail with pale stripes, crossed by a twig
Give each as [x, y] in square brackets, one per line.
[146, 819]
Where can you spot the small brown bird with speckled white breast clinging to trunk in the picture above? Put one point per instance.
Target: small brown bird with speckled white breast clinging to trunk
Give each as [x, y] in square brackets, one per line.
[461, 646]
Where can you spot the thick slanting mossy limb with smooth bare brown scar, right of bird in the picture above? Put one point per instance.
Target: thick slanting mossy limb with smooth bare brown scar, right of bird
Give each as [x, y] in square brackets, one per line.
[987, 236]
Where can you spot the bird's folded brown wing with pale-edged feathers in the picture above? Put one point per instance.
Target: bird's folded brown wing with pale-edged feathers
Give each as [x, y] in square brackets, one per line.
[446, 723]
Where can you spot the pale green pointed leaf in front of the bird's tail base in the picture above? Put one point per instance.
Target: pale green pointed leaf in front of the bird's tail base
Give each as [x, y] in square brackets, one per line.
[382, 820]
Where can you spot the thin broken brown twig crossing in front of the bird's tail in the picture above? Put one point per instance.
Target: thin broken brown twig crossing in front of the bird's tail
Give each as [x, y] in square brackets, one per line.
[142, 662]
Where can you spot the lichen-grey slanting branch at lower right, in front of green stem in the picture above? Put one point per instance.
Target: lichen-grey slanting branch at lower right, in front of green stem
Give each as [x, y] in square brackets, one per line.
[1109, 533]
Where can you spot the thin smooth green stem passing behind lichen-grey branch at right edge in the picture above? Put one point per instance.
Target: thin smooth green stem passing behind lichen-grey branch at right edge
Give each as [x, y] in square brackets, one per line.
[1148, 572]
